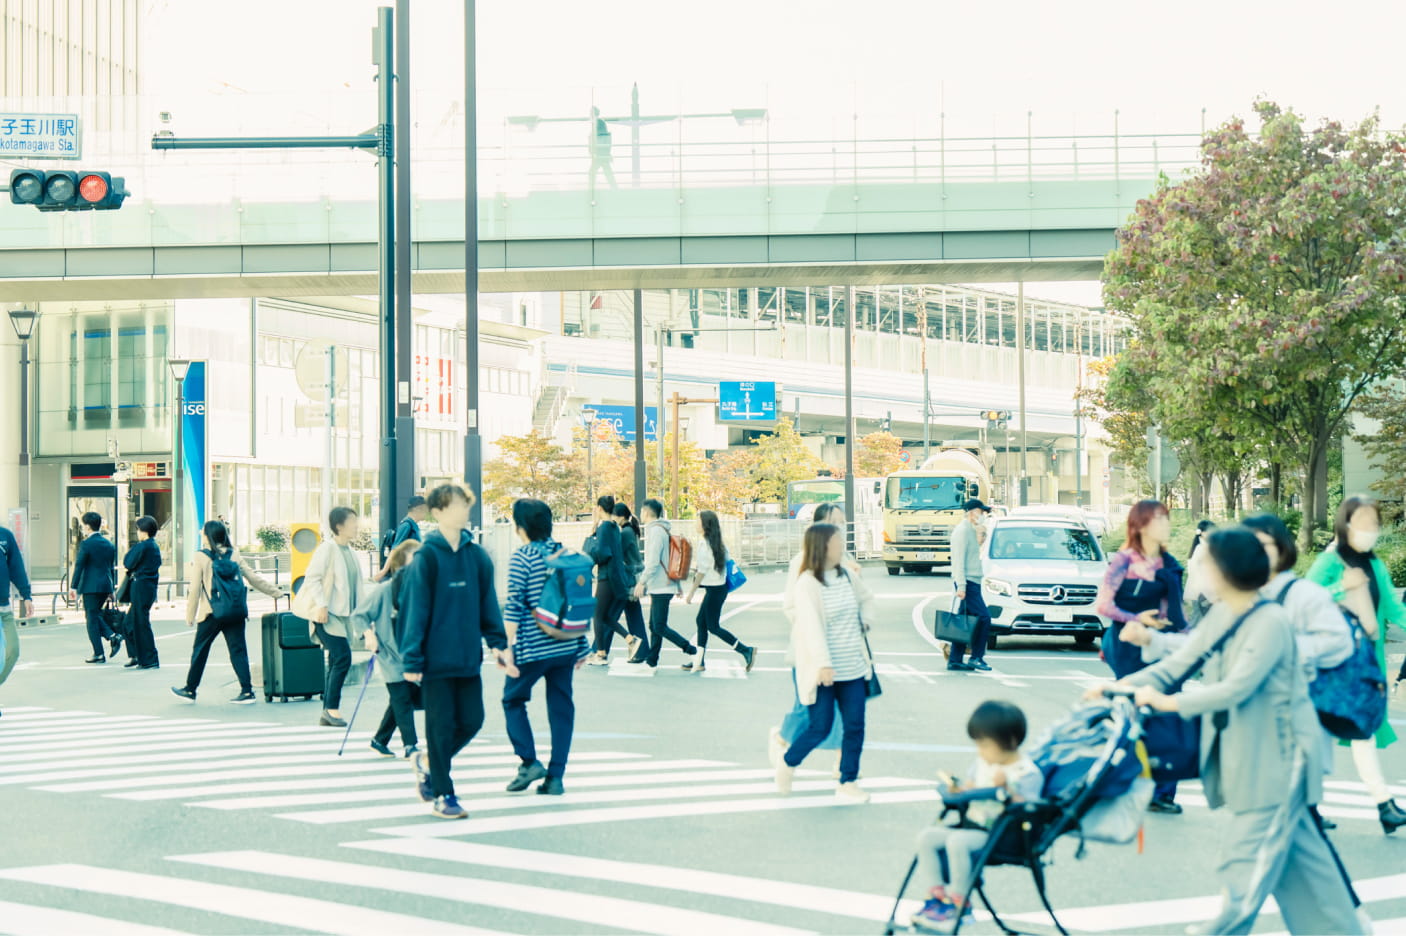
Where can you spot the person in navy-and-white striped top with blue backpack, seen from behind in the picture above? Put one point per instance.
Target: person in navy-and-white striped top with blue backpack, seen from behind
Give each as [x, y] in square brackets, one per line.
[549, 615]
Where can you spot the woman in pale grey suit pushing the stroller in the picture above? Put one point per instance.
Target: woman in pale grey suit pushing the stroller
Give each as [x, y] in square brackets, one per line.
[1260, 748]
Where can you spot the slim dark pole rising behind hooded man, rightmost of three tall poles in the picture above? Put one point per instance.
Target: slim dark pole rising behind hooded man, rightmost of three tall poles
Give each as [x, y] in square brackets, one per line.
[473, 443]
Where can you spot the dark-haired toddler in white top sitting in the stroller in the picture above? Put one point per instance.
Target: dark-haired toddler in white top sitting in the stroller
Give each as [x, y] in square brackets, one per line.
[946, 851]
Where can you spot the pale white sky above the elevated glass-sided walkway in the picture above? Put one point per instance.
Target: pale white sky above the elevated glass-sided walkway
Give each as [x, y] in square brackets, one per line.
[989, 67]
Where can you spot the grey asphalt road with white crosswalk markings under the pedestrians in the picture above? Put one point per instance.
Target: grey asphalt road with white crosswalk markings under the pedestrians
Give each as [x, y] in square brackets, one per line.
[129, 813]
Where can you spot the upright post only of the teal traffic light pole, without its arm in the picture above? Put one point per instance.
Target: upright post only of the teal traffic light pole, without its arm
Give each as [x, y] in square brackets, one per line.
[386, 175]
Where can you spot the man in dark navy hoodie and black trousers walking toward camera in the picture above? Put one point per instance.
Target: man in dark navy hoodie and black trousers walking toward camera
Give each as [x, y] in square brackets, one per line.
[451, 611]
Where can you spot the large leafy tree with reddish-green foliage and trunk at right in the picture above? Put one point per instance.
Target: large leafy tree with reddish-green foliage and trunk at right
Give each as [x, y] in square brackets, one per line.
[1266, 289]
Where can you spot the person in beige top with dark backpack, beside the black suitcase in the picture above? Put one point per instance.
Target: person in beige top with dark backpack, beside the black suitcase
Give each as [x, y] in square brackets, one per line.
[219, 605]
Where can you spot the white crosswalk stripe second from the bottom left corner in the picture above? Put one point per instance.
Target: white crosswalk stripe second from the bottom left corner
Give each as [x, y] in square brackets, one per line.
[280, 910]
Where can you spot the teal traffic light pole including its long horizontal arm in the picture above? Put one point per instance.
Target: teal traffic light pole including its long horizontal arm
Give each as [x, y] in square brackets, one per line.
[382, 143]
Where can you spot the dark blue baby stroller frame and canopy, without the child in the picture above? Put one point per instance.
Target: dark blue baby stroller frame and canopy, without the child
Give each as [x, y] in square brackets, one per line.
[1097, 788]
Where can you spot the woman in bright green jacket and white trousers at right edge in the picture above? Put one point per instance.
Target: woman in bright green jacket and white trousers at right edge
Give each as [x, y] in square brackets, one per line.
[1360, 583]
